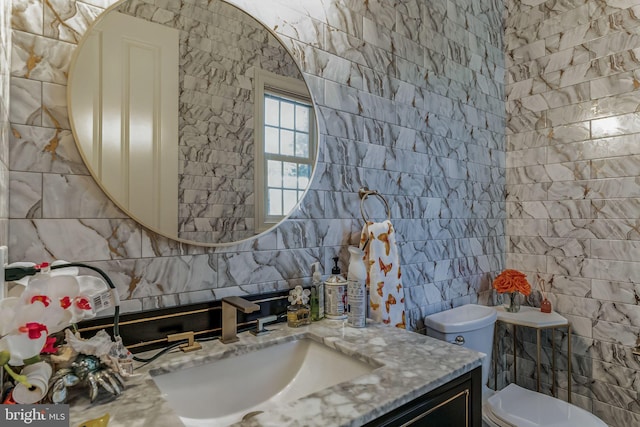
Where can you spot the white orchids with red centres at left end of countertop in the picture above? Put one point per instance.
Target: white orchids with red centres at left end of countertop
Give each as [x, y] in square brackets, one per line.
[41, 306]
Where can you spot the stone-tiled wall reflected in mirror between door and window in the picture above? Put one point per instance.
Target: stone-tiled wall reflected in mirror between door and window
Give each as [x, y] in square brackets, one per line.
[220, 48]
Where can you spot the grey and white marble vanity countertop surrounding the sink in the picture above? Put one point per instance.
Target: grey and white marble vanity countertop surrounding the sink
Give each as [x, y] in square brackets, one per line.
[412, 364]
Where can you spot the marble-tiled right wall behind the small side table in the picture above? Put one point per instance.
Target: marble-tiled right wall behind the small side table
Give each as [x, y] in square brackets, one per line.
[573, 198]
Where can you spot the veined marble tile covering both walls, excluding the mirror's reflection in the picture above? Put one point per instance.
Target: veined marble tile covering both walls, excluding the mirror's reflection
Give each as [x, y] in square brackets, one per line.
[503, 134]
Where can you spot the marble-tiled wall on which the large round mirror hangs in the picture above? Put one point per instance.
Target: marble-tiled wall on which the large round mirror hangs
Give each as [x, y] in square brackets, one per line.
[410, 102]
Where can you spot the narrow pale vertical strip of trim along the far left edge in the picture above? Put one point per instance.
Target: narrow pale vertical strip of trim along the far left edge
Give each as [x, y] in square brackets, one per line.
[5, 73]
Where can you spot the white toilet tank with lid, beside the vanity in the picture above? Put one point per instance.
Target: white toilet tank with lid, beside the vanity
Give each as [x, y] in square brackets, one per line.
[474, 323]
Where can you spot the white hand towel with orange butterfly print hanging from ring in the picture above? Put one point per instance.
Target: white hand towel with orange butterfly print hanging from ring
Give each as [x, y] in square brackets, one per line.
[386, 295]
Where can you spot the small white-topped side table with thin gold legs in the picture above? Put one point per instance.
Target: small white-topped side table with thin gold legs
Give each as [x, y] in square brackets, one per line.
[532, 317]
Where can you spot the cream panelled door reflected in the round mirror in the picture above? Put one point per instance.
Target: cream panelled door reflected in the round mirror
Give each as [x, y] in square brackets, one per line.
[131, 142]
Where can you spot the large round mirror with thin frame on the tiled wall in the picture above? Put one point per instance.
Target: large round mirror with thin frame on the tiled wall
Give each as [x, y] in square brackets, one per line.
[196, 122]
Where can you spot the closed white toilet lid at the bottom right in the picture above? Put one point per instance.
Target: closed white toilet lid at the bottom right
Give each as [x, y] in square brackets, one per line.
[517, 406]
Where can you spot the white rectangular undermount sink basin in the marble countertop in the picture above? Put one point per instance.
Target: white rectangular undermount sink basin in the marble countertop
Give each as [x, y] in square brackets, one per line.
[227, 390]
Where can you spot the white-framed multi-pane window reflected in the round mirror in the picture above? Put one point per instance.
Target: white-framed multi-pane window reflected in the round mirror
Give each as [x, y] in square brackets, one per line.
[285, 142]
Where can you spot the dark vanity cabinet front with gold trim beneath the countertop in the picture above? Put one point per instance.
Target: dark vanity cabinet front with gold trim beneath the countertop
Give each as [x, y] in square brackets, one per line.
[455, 404]
